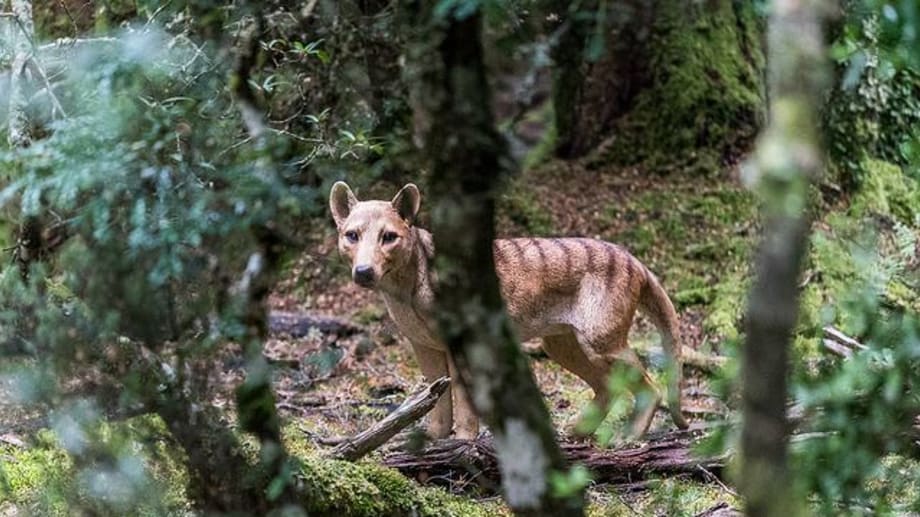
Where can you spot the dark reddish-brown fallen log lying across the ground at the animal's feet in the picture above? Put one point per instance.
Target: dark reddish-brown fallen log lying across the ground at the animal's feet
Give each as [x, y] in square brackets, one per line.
[461, 462]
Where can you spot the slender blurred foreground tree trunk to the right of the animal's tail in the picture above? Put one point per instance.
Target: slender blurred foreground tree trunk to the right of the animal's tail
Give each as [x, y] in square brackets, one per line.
[788, 158]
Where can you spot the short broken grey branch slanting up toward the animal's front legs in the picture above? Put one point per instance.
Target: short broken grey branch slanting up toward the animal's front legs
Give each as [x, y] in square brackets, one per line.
[414, 408]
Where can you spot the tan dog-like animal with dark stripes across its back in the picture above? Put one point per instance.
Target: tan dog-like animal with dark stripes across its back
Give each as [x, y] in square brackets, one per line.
[579, 295]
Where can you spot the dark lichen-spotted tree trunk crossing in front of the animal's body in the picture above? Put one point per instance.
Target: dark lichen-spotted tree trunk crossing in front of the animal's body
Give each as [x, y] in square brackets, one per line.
[468, 160]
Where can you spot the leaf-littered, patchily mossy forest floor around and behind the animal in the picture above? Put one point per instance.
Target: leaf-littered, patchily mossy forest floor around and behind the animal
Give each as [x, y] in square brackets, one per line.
[696, 233]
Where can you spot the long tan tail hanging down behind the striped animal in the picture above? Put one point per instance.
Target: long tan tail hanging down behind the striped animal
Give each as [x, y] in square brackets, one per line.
[655, 302]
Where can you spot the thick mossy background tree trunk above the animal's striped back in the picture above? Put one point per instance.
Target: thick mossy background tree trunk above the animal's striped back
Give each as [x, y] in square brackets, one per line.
[678, 82]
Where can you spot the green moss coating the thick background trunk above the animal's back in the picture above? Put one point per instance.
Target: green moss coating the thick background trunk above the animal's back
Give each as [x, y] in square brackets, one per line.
[706, 95]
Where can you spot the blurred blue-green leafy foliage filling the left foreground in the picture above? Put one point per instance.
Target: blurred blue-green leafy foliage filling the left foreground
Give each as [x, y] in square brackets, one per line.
[161, 205]
